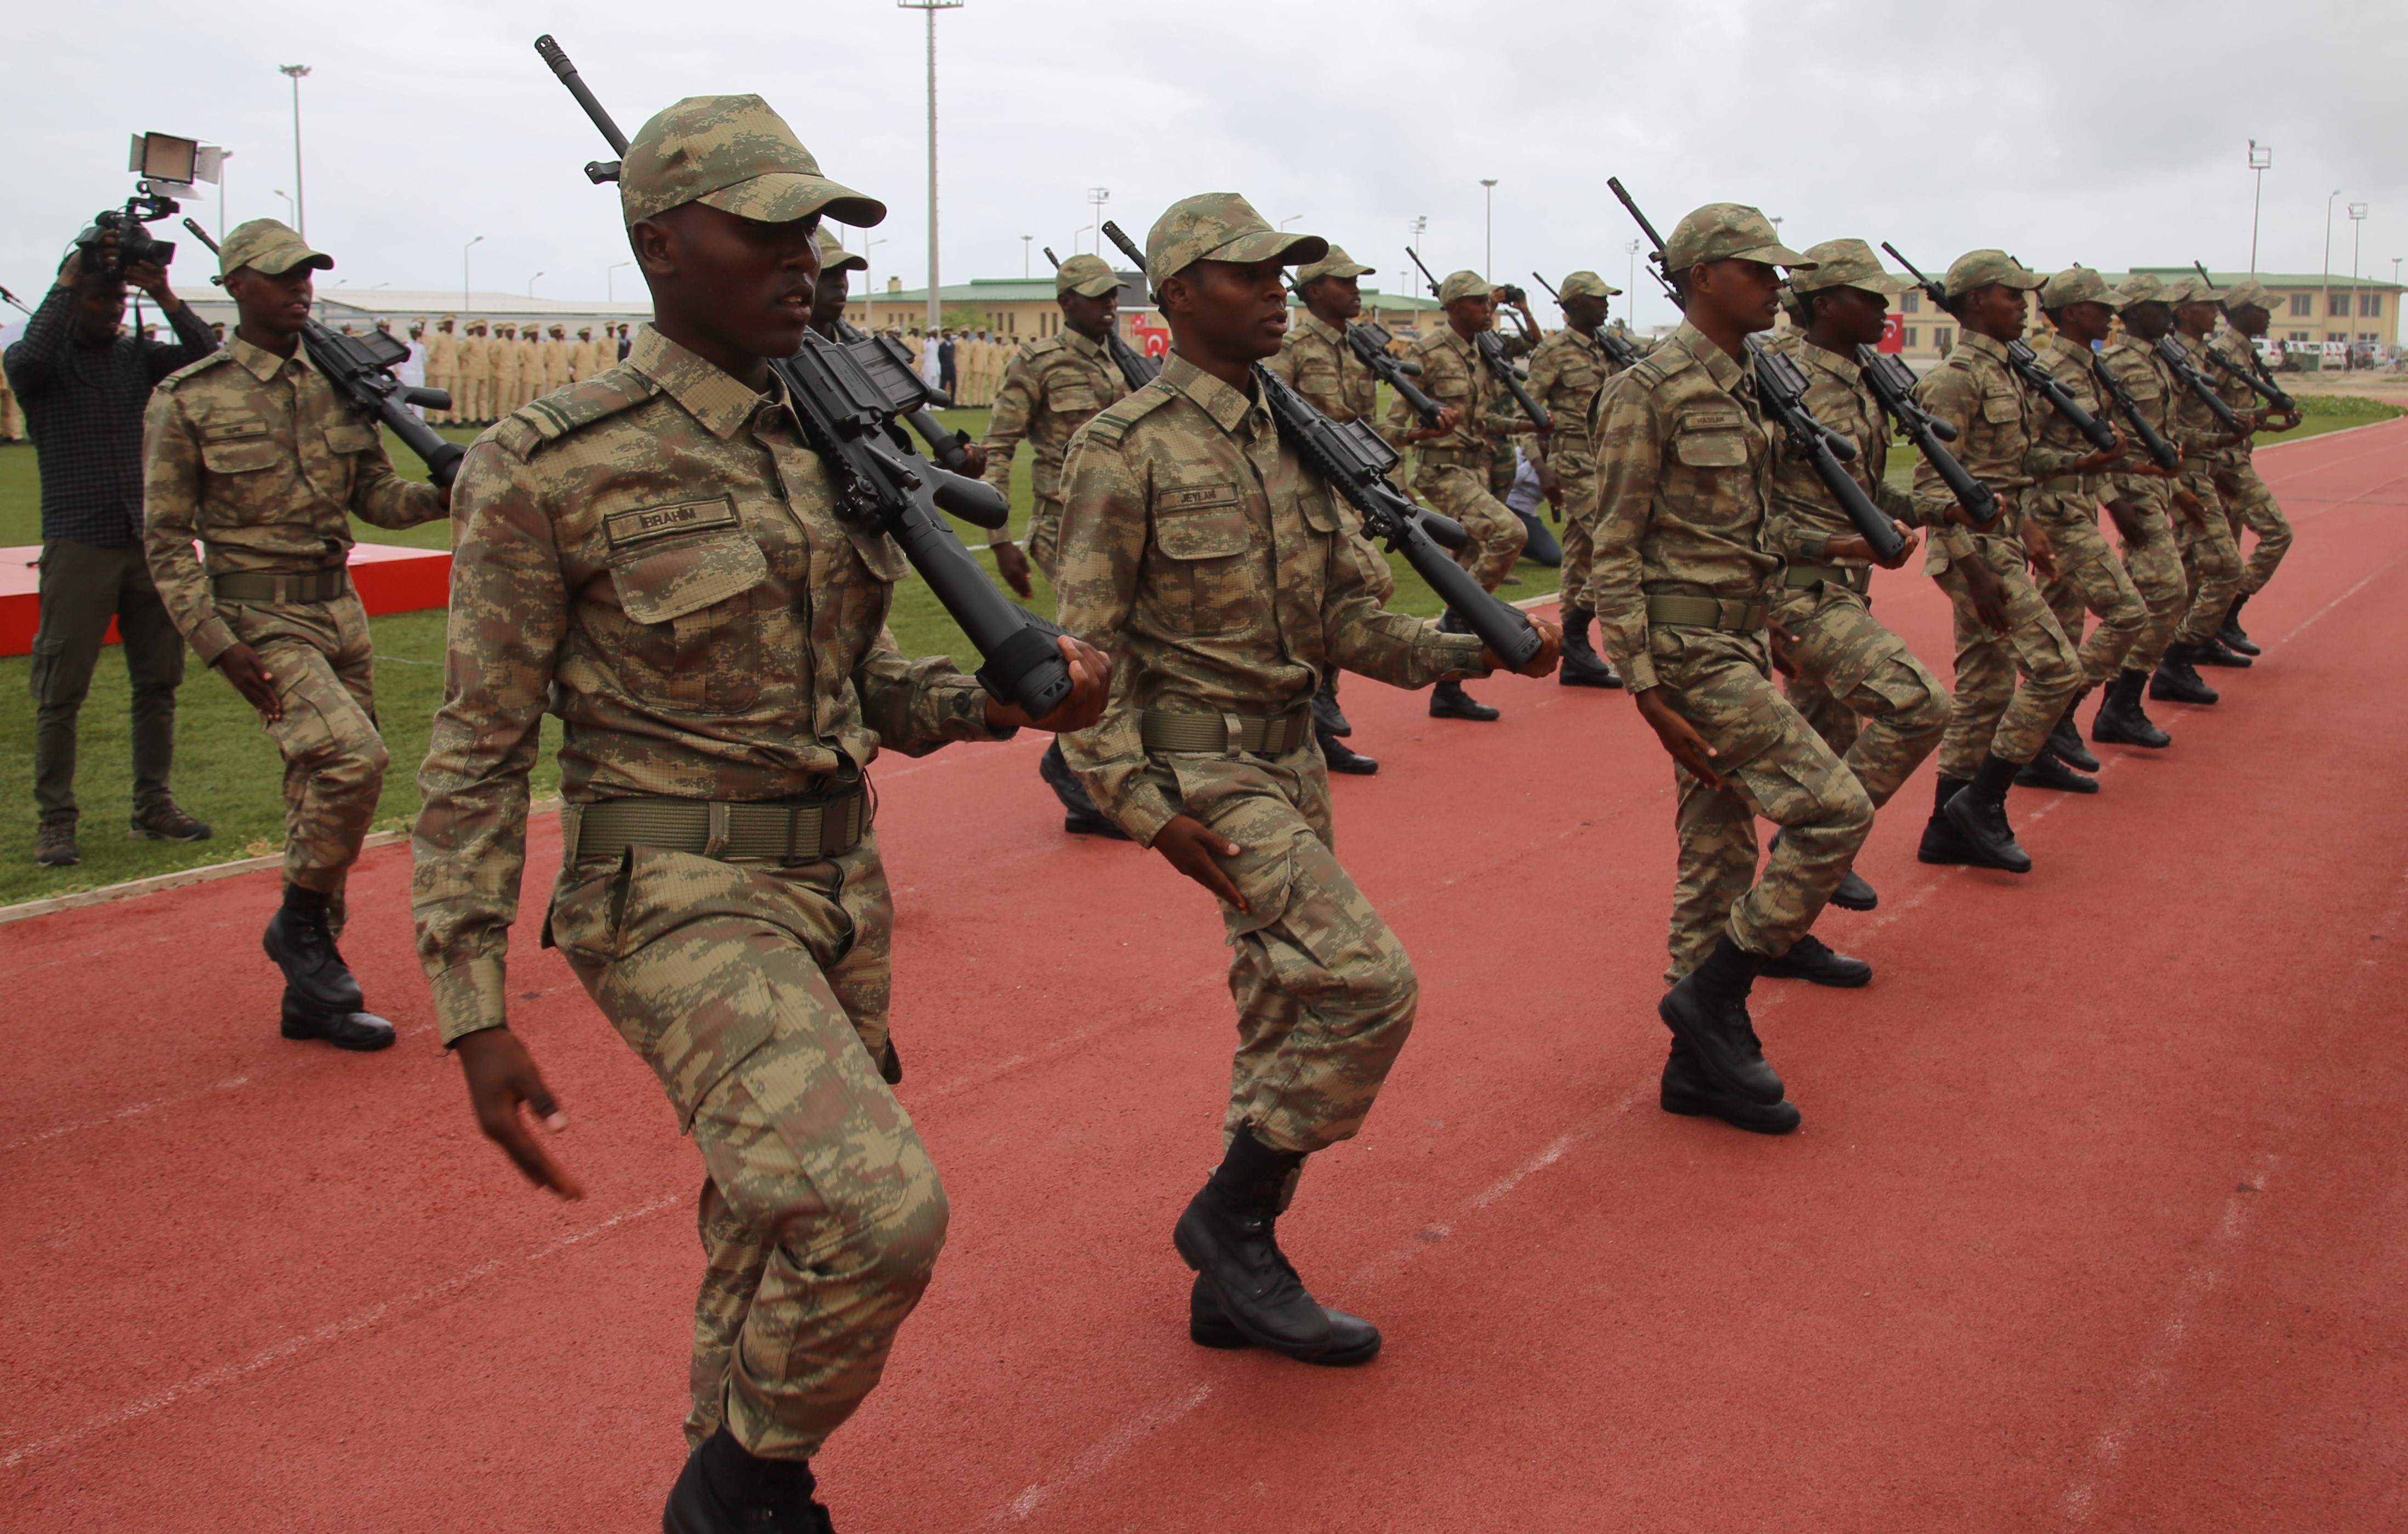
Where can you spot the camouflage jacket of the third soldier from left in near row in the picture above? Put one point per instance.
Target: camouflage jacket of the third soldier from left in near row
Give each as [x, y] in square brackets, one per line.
[1684, 466]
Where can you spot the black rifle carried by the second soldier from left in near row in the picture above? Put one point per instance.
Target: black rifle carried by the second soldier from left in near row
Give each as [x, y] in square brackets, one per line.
[1357, 464]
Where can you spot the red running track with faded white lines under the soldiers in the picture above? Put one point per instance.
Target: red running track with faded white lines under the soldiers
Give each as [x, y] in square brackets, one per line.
[2096, 1217]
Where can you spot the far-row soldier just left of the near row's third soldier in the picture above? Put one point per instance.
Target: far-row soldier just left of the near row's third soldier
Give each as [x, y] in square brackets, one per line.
[1566, 374]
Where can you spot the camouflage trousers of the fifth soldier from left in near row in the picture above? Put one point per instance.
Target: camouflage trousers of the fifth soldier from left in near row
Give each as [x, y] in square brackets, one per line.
[1990, 712]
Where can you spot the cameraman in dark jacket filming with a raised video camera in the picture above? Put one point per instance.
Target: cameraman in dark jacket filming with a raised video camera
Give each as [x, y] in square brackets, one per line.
[83, 389]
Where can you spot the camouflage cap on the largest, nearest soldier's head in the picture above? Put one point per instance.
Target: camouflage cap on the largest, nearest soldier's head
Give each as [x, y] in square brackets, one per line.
[736, 155]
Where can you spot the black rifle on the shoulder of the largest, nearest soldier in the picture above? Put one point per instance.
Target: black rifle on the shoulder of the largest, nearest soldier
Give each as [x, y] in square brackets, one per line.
[849, 399]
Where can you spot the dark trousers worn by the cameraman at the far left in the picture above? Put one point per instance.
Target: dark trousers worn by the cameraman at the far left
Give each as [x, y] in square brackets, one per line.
[81, 591]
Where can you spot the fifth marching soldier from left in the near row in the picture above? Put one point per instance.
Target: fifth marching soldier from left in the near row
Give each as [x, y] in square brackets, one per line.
[2002, 625]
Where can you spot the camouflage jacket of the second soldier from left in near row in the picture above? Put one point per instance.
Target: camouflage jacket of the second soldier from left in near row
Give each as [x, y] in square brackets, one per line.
[1220, 577]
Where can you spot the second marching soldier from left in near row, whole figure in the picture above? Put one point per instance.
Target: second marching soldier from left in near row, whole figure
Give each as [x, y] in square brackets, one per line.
[1224, 577]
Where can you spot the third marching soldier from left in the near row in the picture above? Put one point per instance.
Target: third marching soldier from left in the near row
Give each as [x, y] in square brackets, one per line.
[1680, 594]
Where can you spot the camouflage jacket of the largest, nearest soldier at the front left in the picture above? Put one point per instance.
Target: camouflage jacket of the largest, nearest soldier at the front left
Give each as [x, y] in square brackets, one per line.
[654, 555]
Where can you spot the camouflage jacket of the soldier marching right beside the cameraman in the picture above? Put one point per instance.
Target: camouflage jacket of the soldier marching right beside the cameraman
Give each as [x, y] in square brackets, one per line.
[264, 464]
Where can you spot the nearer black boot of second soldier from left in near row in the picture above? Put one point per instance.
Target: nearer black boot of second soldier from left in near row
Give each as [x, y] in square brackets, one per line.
[1229, 1237]
